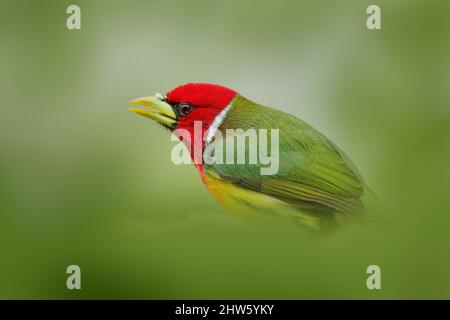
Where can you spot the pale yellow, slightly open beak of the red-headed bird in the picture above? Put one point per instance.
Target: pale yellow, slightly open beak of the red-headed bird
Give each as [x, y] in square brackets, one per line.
[157, 110]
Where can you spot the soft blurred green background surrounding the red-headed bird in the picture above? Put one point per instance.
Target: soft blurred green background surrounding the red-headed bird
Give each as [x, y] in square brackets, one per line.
[84, 181]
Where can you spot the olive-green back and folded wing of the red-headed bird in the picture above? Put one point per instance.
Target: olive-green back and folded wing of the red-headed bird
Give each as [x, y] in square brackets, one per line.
[313, 175]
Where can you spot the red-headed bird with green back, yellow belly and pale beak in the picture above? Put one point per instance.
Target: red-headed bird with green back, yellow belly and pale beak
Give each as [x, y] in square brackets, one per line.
[316, 186]
